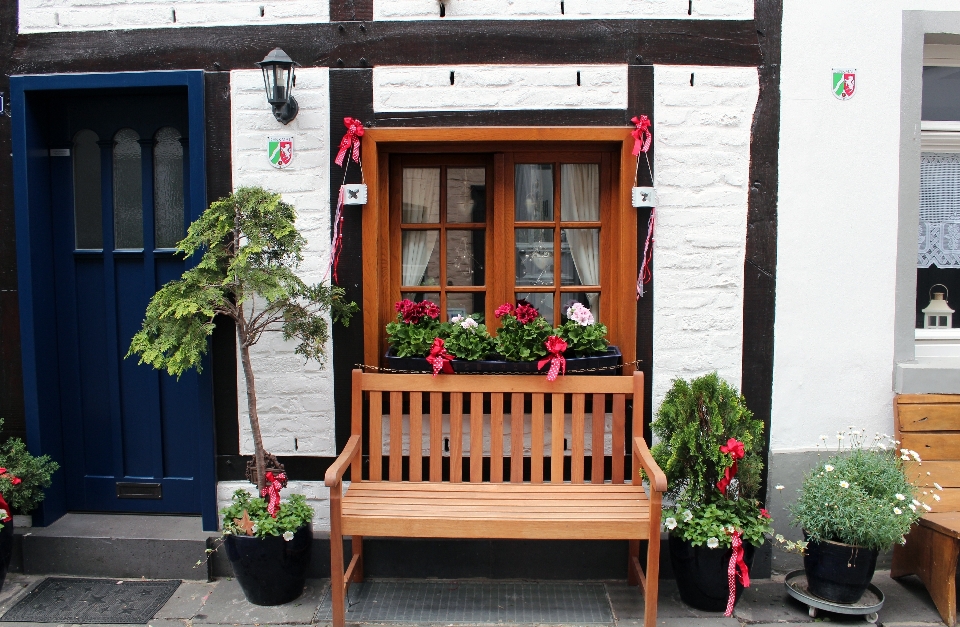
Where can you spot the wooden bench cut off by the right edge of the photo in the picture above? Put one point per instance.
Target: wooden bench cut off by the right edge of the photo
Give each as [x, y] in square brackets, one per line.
[930, 425]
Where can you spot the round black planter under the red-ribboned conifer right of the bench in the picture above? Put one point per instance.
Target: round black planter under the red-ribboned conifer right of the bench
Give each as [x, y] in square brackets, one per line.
[701, 574]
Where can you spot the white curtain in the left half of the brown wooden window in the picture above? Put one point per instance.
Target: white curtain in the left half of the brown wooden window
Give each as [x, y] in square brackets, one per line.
[421, 204]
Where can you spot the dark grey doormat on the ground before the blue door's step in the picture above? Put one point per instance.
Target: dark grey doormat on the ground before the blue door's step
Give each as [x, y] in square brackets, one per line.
[90, 601]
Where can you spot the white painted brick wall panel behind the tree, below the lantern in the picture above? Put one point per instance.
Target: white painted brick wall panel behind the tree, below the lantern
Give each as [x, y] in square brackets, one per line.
[295, 398]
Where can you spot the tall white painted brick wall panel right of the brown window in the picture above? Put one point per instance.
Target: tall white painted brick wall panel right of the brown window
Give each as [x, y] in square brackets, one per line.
[702, 152]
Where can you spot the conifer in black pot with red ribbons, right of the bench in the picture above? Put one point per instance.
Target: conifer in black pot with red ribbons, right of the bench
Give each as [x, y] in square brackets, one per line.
[709, 447]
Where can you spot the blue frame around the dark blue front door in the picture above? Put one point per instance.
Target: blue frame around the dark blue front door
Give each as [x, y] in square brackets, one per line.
[35, 269]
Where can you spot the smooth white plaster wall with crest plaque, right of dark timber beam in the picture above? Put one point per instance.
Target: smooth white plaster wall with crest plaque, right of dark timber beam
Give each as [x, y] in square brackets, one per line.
[838, 205]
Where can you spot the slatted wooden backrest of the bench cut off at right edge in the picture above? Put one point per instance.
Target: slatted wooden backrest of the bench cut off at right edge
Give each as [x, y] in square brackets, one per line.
[930, 425]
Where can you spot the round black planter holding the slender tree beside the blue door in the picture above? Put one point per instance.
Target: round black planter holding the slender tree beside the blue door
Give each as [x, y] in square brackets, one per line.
[271, 571]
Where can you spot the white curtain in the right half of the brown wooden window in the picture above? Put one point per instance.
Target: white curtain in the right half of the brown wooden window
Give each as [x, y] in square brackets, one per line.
[580, 201]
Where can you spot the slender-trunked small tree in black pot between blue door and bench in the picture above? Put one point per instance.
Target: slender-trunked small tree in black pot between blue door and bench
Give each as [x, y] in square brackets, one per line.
[248, 248]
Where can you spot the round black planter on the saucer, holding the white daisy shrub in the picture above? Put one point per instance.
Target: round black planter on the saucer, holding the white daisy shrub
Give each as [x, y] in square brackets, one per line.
[838, 572]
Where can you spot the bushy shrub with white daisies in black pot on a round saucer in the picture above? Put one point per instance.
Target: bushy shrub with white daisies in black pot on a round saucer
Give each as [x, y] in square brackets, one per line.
[852, 506]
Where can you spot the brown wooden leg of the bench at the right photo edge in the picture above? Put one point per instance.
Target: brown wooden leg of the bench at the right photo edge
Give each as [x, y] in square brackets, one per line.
[932, 556]
